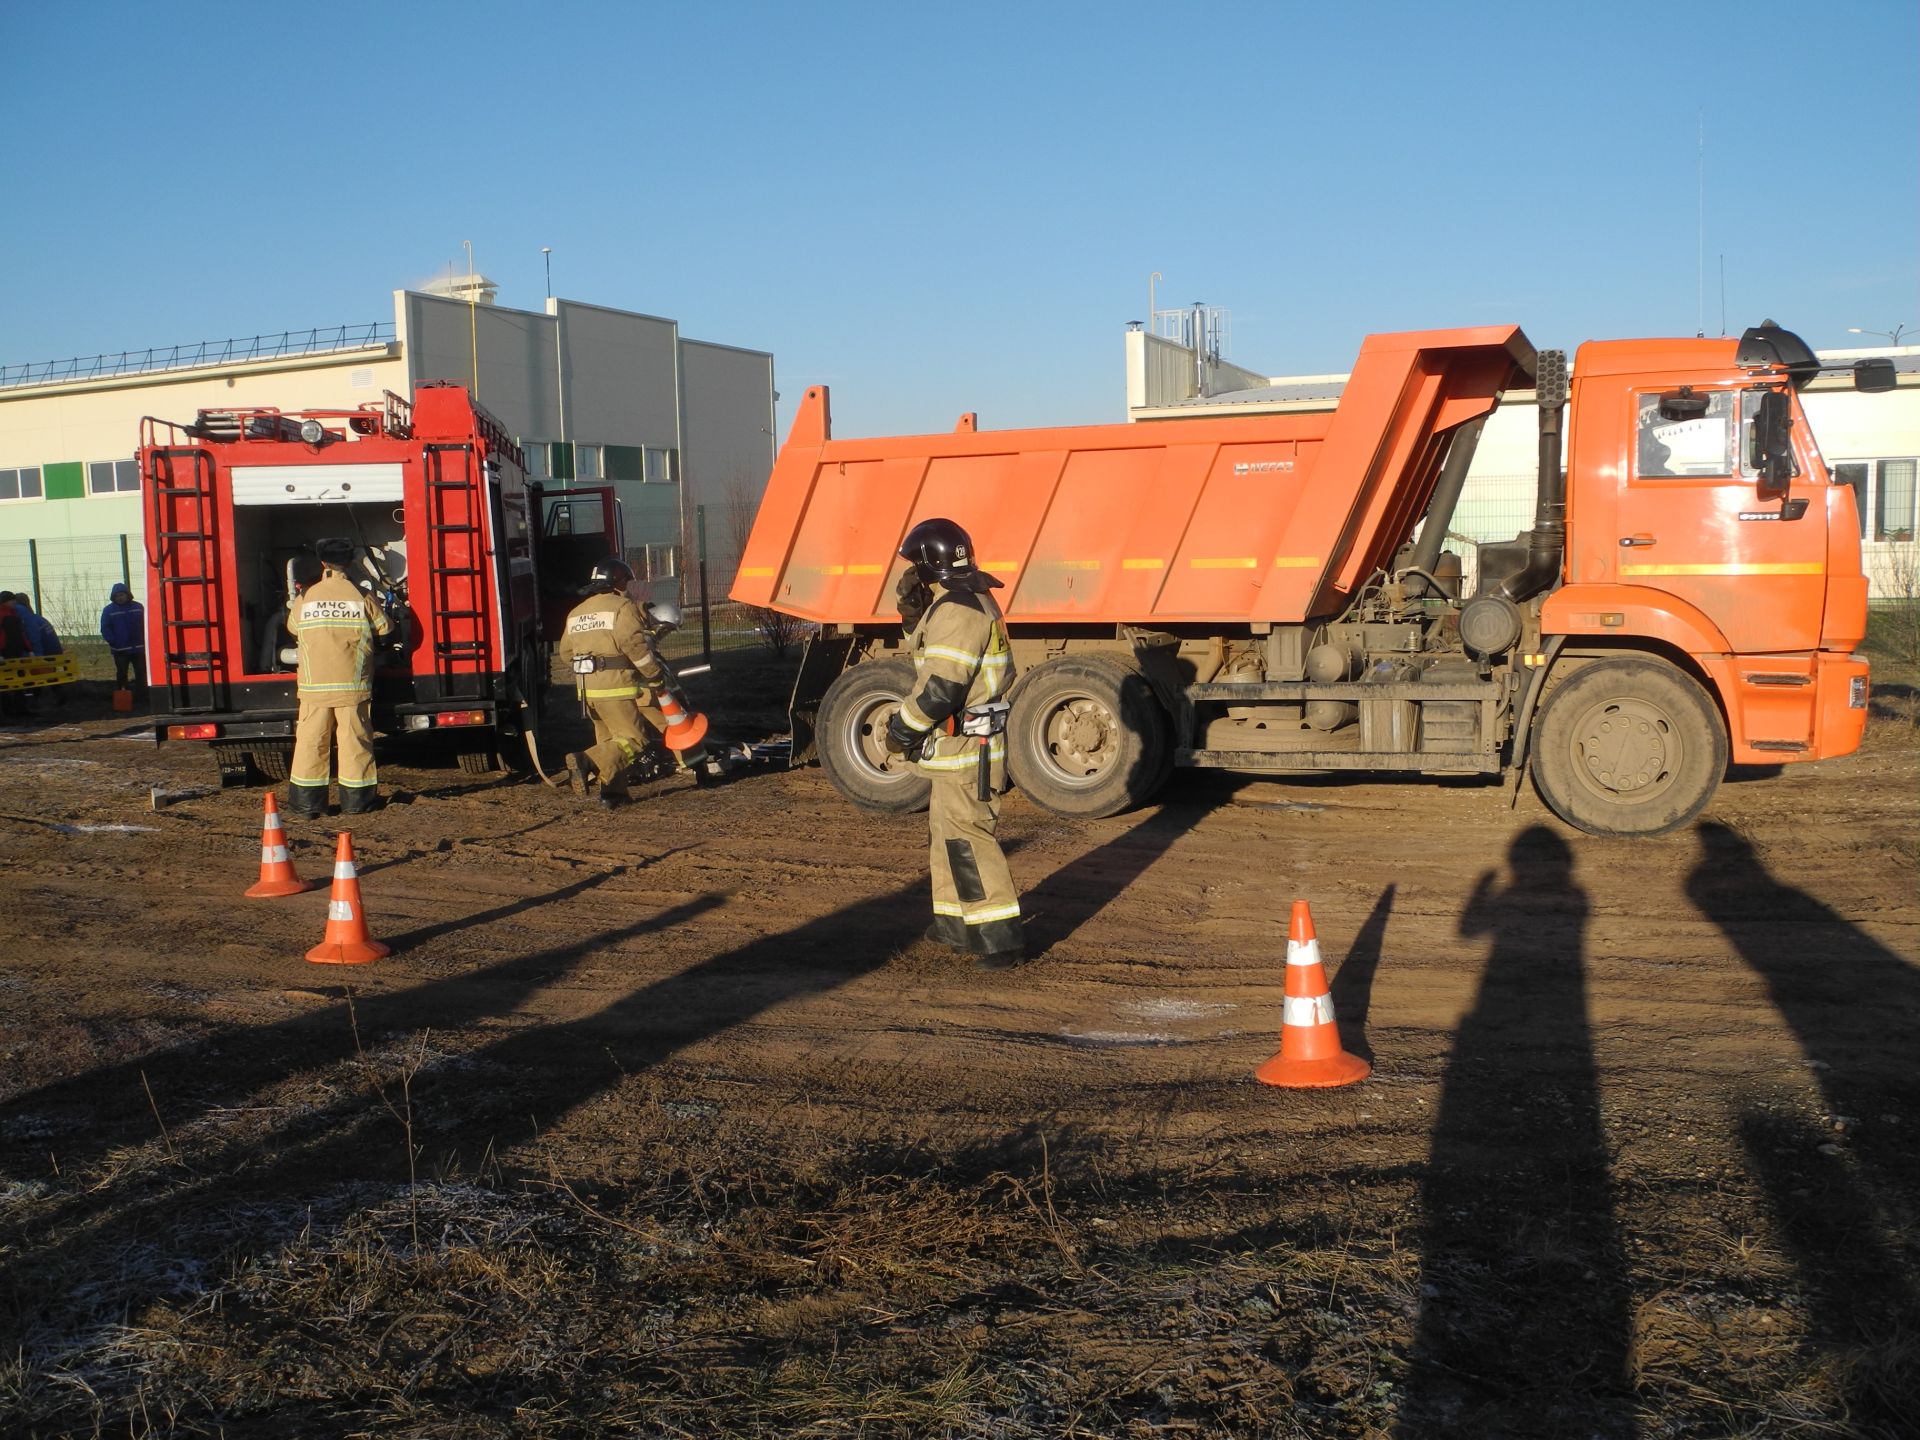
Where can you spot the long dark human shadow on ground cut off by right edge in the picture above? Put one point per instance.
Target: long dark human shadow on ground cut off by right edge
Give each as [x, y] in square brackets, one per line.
[1846, 1189]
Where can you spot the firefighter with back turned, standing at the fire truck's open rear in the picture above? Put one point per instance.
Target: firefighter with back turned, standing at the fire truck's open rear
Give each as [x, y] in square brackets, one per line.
[337, 627]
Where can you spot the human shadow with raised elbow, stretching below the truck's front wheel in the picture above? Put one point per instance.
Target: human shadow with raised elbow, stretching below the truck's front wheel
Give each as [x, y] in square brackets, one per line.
[1525, 1324]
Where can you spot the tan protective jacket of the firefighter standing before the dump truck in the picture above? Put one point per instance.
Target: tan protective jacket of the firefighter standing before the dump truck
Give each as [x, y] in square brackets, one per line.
[963, 663]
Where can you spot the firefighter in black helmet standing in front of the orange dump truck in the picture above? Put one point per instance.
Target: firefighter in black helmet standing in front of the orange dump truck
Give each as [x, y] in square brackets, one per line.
[955, 729]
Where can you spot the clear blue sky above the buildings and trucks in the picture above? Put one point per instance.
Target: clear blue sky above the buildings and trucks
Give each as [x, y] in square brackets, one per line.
[948, 208]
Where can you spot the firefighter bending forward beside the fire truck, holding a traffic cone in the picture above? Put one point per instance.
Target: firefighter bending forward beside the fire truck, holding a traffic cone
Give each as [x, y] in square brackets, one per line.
[617, 673]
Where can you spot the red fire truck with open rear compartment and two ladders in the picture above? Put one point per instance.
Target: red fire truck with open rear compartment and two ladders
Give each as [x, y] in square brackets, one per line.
[475, 564]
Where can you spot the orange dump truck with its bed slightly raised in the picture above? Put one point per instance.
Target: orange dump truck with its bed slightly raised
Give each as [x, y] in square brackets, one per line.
[1268, 594]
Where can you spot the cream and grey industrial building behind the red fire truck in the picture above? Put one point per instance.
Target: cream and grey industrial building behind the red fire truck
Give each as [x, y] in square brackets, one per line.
[594, 395]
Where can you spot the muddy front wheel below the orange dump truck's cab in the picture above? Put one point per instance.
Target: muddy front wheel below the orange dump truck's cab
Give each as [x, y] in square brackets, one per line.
[1629, 748]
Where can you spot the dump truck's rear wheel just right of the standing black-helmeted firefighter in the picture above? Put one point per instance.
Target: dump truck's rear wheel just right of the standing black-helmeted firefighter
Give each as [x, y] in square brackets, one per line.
[1088, 738]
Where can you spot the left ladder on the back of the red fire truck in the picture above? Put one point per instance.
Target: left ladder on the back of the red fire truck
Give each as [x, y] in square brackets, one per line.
[189, 567]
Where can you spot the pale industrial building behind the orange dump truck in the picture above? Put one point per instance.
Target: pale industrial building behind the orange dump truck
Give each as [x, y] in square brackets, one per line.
[1873, 443]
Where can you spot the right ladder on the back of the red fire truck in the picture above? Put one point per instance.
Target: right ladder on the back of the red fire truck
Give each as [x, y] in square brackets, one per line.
[456, 556]
